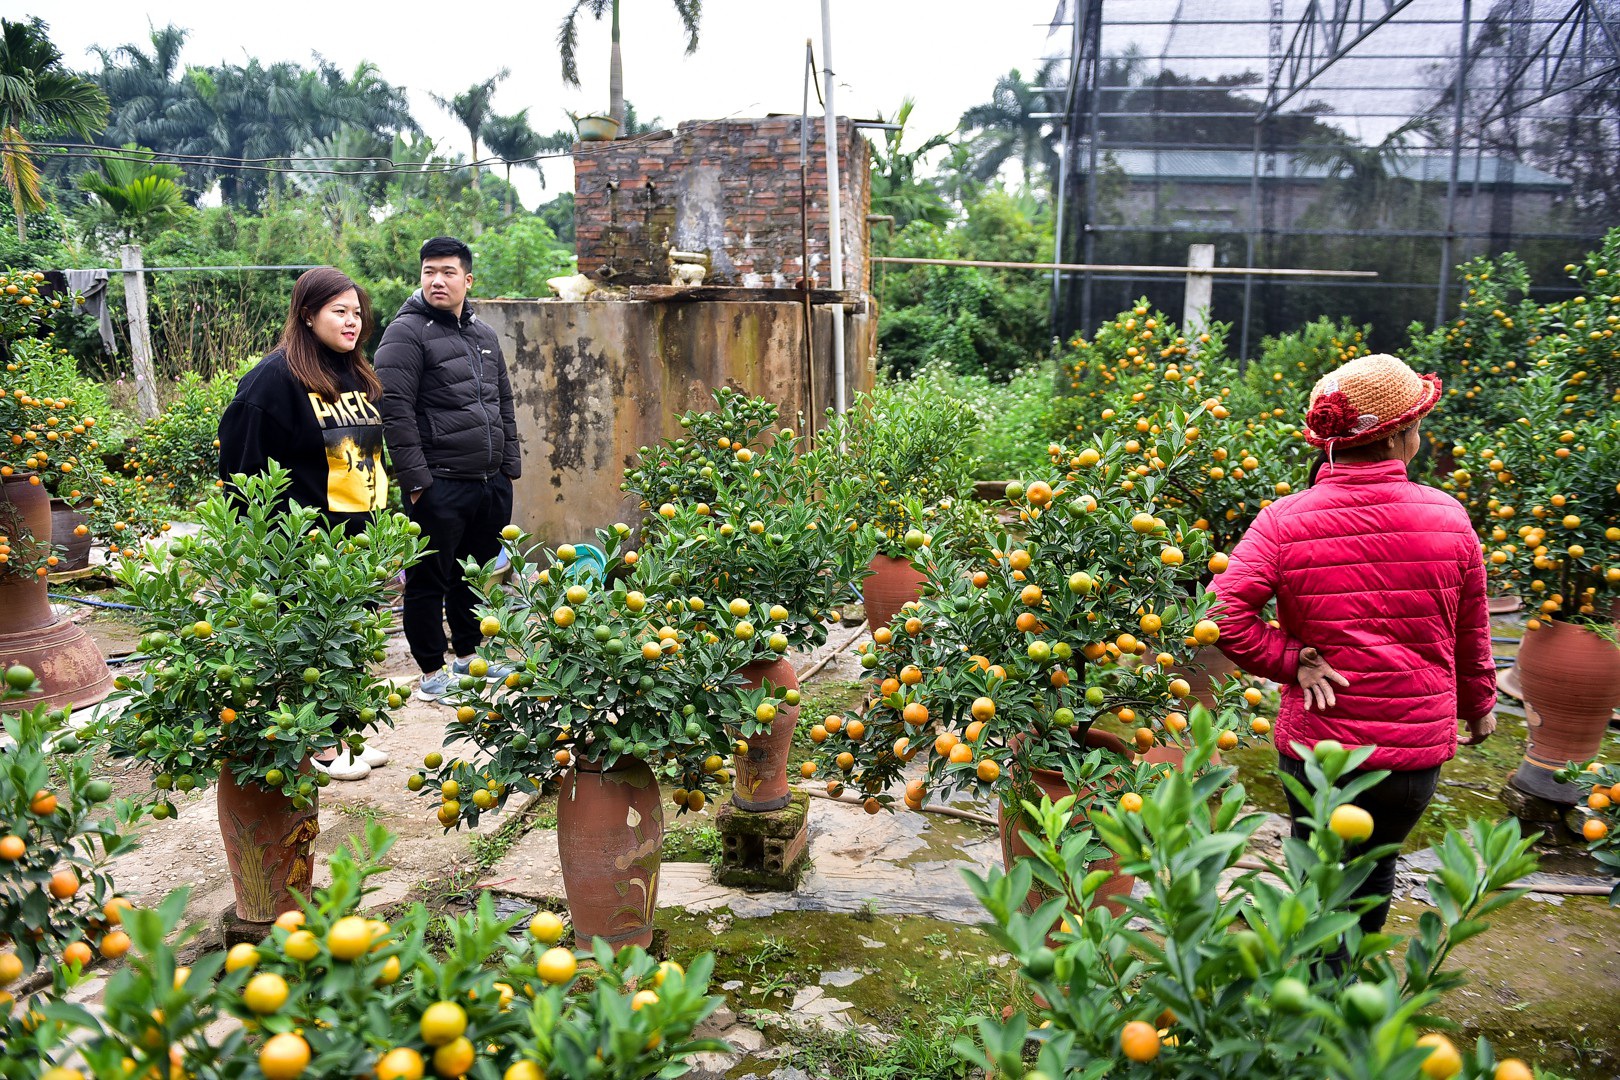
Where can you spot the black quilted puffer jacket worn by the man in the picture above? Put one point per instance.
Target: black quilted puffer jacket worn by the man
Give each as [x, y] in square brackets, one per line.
[446, 398]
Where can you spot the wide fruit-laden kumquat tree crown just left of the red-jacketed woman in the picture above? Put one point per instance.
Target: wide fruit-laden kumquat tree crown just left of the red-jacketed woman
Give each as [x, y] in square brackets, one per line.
[1004, 670]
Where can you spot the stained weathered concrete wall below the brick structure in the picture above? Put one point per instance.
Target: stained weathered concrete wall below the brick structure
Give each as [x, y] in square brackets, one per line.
[599, 380]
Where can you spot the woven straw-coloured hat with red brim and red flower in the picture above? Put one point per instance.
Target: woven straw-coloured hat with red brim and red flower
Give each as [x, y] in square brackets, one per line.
[1368, 399]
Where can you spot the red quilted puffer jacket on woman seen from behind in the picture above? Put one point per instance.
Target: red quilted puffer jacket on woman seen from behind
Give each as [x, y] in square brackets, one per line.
[1386, 580]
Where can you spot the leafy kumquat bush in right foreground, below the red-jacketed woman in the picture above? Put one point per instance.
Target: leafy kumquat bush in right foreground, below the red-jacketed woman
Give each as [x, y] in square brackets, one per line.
[1284, 982]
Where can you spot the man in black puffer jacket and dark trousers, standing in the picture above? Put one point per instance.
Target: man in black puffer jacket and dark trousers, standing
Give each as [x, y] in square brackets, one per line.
[451, 432]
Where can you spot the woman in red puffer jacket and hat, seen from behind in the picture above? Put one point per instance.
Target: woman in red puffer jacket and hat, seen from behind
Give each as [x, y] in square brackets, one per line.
[1383, 637]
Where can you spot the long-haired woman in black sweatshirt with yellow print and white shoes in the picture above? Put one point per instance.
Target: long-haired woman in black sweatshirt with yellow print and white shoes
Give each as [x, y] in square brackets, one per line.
[310, 406]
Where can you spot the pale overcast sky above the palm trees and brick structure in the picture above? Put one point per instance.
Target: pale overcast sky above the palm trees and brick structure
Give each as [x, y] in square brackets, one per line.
[947, 54]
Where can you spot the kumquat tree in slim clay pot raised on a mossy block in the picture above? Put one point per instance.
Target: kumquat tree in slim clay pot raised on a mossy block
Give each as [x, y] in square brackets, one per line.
[751, 525]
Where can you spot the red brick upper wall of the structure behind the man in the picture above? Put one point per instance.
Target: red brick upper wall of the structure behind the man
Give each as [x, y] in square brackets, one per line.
[728, 189]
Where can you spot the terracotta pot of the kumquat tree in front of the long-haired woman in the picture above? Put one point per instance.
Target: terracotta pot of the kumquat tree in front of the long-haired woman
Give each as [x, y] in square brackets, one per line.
[268, 844]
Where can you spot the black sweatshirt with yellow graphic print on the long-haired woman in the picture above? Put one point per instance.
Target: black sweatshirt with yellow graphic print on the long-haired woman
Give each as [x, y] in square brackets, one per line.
[331, 449]
